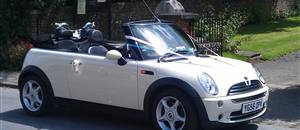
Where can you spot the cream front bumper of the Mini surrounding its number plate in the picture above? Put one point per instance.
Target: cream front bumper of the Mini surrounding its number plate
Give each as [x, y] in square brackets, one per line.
[231, 110]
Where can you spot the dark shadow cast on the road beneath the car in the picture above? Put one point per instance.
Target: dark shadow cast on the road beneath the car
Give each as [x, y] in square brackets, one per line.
[91, 120]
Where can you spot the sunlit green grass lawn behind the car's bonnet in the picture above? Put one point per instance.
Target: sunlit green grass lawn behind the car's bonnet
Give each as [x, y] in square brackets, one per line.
[273, 39]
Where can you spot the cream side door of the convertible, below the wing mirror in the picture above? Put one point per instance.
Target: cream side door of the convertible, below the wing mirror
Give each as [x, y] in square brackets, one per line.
[99, 80]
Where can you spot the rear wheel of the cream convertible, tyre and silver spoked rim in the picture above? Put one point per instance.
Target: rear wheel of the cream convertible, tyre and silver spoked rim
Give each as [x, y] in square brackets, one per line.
[35, 96]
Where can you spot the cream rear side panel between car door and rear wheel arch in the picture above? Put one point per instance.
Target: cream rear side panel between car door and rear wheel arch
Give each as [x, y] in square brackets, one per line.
[55, 65]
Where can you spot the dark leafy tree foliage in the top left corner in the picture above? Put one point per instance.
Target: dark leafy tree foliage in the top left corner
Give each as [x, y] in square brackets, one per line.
[15, 17]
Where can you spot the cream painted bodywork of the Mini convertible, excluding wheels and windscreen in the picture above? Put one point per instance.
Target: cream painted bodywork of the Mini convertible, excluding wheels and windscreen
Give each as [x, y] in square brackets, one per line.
[99, 80]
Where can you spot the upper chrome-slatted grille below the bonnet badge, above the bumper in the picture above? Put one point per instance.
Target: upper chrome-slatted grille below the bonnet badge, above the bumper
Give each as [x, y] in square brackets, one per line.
[240, 88]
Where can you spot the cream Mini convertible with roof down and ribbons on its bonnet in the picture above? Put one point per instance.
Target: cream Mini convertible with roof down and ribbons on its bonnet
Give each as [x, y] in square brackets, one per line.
[158, 71]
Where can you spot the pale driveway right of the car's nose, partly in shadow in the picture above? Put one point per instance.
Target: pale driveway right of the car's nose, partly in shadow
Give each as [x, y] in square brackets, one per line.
[283, 77]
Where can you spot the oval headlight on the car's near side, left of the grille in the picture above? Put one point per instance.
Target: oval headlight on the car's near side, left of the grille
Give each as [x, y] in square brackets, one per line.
[208, 84]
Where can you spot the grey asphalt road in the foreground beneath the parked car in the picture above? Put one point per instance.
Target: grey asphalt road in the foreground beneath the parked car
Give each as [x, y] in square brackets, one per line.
[14, 118]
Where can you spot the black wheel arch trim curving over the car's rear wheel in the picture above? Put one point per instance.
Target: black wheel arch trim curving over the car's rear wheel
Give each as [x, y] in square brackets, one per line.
[36, 71]
